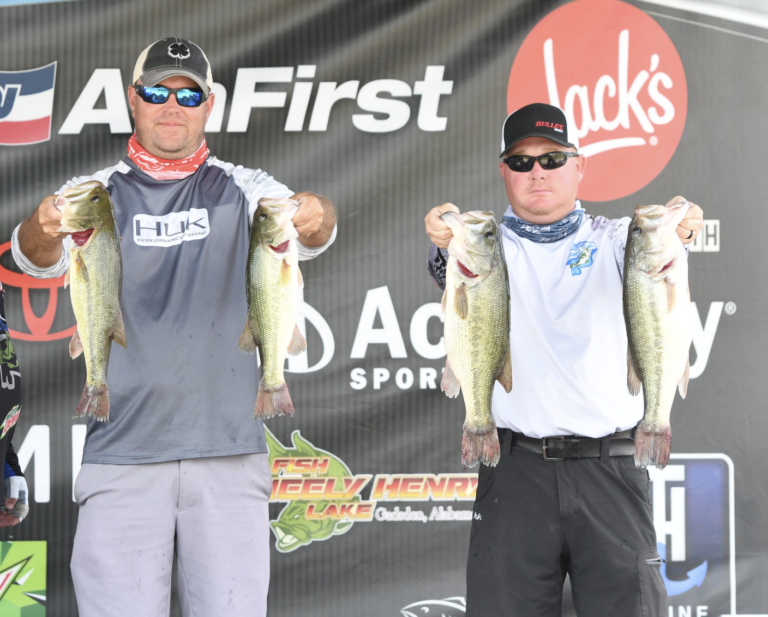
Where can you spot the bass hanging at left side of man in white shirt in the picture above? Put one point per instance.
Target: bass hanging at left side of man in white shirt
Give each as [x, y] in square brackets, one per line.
[476, 308]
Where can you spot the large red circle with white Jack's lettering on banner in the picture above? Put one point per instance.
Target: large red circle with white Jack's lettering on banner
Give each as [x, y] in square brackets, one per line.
[620, 81]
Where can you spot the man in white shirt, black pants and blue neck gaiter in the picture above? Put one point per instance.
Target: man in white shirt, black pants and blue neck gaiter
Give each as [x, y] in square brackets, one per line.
[551, 508]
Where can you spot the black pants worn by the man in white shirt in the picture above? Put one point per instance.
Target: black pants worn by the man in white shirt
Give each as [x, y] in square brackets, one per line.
[534, 521]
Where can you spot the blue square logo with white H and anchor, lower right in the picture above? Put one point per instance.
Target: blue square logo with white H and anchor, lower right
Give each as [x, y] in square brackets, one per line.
[694, 520]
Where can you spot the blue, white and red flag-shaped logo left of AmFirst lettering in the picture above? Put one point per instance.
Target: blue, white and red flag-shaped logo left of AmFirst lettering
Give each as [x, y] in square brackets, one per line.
[26, 105]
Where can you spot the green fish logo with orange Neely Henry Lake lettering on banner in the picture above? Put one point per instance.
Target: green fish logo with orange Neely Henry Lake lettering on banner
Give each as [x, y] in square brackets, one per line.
[324, 499]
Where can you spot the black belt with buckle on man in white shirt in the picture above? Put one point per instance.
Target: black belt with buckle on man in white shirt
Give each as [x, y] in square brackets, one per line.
[570, 446]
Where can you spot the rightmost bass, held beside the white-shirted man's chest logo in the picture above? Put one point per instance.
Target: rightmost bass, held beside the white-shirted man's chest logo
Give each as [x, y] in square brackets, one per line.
[657, 311]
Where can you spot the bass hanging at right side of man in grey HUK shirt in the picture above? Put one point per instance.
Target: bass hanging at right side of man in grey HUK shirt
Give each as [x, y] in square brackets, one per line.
[272, 285]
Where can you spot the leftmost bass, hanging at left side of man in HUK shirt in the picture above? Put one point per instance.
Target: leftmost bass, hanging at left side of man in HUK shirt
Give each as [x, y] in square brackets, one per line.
[95, 276]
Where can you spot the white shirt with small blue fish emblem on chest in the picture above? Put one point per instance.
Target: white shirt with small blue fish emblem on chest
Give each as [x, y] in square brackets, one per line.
[567, 334]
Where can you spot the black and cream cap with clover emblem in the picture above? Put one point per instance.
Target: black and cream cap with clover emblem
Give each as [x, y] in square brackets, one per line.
[170, 57]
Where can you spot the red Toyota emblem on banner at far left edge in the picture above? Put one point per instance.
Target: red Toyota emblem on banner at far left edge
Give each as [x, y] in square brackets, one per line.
[39, 327]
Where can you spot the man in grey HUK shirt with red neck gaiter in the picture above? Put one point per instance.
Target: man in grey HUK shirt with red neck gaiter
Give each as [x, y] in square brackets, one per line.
[181, 466]
